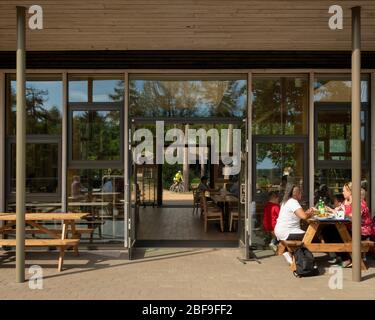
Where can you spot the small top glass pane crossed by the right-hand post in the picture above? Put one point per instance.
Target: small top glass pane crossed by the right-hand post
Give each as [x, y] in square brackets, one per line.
[331, 88]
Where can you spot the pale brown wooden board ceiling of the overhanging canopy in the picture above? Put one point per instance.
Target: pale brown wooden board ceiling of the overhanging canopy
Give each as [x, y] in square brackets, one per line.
[187, 25]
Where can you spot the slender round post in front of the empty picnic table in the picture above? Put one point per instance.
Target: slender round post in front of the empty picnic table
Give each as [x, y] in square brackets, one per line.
[21, 145]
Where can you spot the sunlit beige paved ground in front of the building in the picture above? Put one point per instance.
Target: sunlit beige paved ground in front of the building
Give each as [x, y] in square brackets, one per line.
[176, 274]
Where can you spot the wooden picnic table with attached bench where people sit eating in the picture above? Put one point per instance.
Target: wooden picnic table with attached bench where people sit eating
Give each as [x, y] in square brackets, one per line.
[313, 232]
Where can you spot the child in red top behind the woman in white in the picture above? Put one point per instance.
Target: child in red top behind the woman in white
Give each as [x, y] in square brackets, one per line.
[270, 214]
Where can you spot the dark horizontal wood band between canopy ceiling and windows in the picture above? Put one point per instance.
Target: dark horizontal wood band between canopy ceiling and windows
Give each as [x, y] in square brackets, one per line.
[161, 59]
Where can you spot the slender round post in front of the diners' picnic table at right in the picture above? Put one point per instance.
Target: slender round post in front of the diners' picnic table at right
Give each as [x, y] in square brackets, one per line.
[356, 143]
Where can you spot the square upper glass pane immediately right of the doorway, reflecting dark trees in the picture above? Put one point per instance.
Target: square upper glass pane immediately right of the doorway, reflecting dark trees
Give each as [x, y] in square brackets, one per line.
[280, 105]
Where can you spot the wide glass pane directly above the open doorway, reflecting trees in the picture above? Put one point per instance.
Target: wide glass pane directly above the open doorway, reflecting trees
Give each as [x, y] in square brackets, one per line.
[188, 98]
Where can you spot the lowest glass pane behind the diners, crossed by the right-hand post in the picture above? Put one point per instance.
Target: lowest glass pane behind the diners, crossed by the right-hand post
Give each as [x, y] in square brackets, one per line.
[329, 182]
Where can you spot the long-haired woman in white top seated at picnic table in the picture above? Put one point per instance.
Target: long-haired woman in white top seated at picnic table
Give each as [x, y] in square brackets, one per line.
[288, 223]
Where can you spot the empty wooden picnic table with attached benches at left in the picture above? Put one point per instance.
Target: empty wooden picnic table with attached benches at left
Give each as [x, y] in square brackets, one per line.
[58, 238]
